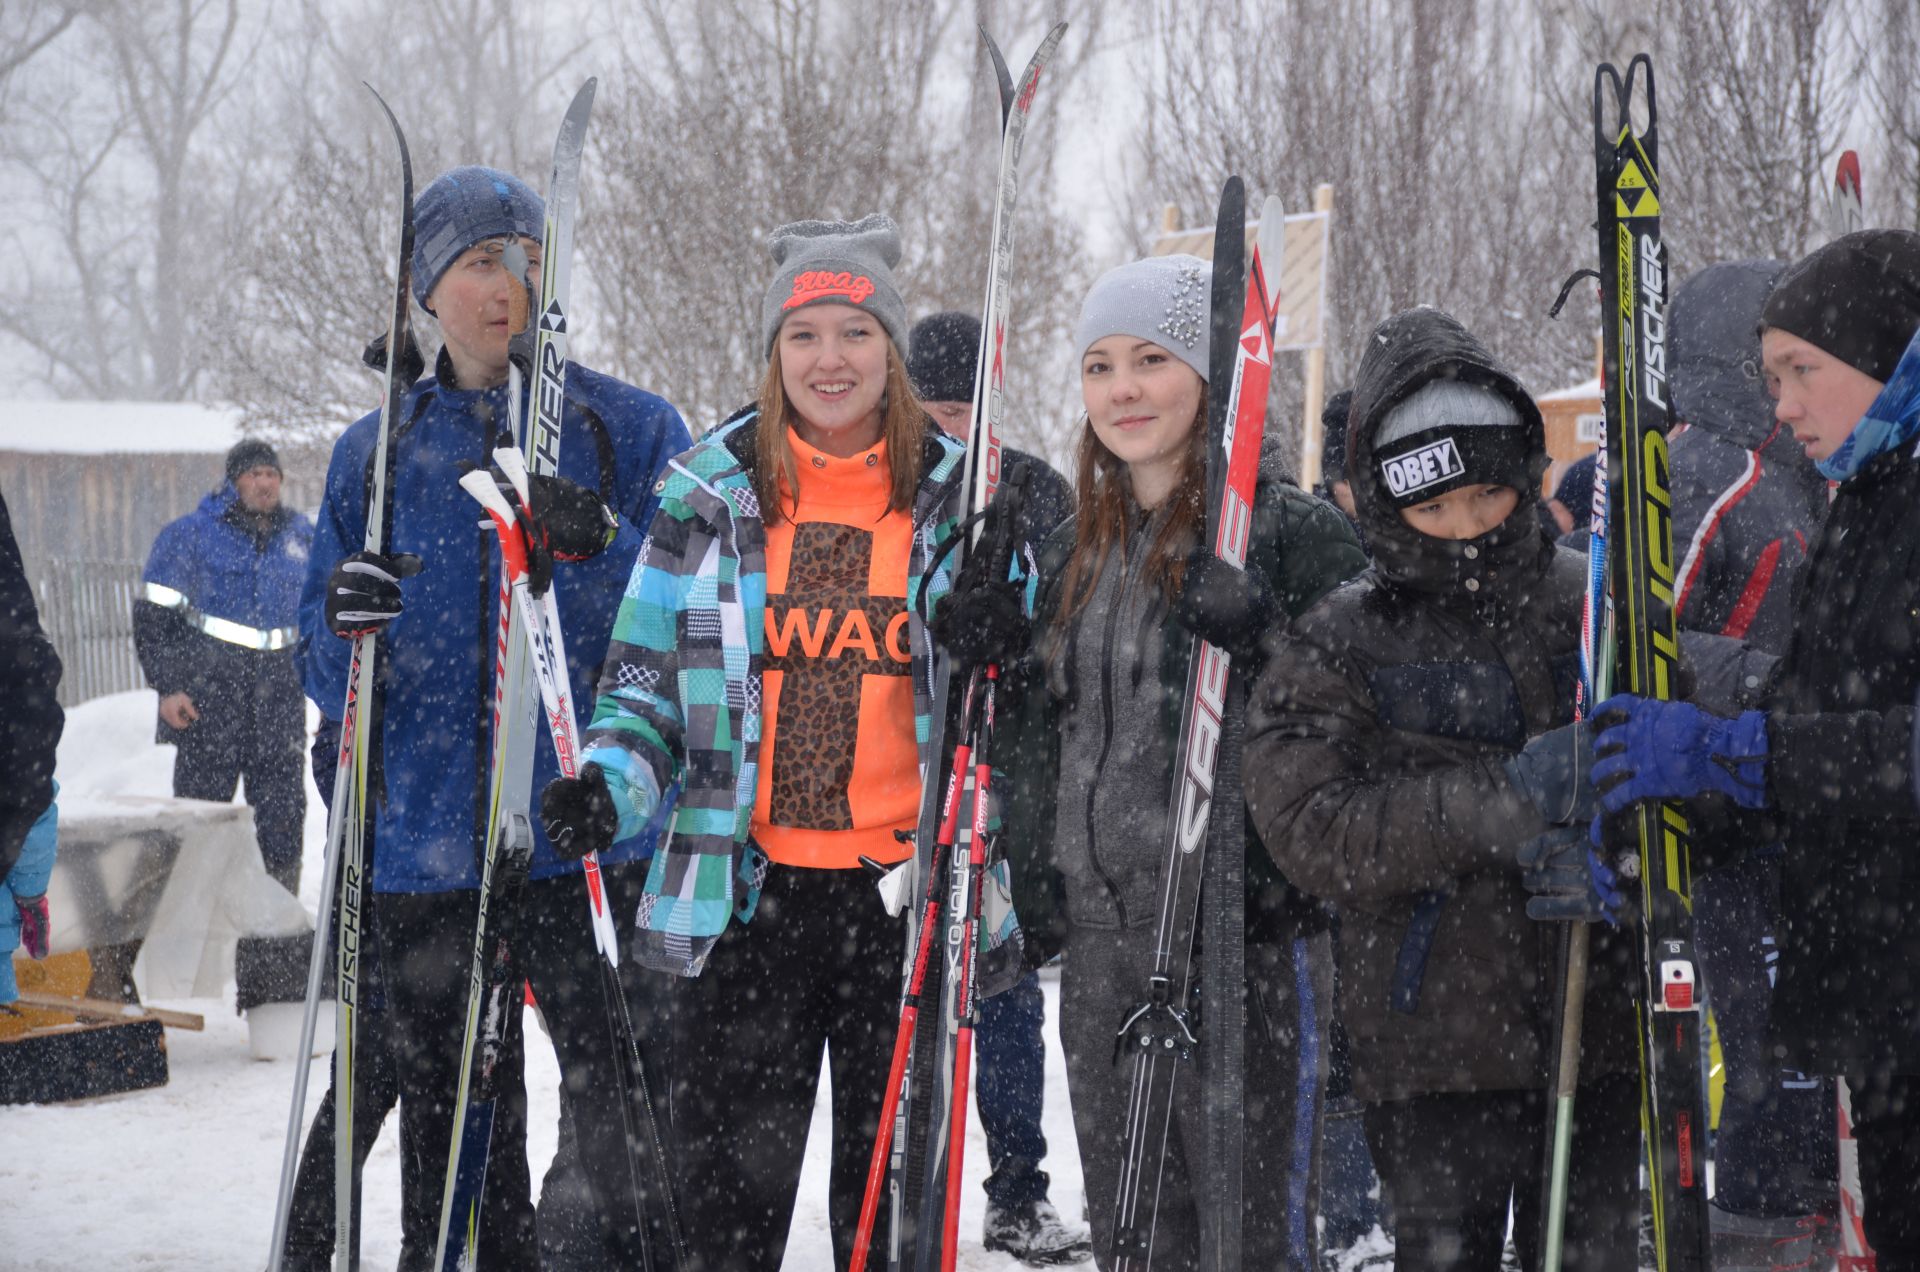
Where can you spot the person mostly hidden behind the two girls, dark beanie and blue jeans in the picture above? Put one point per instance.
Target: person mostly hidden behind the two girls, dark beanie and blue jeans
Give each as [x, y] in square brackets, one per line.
[942, 362]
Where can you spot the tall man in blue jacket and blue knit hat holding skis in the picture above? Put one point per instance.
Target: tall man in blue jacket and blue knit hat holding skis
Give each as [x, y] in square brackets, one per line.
[433, 600]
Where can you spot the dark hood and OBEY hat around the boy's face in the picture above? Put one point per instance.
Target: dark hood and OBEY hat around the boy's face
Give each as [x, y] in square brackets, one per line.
[1435, 412]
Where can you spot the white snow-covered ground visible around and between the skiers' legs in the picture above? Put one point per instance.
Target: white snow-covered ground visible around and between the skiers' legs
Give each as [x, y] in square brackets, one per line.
[185, 1177]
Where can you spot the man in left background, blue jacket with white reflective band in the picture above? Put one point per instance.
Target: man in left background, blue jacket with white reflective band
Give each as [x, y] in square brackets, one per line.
[216, 625]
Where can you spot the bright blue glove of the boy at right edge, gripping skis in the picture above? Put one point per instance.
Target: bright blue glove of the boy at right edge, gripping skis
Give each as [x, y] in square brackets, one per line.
[1673, 750]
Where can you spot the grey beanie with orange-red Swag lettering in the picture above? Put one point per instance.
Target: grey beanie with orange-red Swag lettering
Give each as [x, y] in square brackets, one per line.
[840, 264]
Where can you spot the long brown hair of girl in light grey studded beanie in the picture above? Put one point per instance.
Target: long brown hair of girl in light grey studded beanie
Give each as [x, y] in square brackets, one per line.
[1105, 502]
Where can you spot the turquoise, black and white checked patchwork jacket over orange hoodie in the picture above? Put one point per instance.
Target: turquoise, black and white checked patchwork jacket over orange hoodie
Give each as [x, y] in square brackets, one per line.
[681, 691]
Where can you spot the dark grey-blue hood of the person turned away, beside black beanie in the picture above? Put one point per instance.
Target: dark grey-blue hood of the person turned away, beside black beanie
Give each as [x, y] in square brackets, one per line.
[1714, 351]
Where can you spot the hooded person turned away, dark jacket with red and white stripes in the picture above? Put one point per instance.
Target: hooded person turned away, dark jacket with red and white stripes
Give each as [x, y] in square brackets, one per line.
[1748, 506]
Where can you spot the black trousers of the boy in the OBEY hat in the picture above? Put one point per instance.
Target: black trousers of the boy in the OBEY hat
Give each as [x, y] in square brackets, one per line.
[1452, 1163]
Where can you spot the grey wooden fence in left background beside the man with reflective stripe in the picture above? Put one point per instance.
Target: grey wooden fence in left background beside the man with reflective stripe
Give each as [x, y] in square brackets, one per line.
[87, 612]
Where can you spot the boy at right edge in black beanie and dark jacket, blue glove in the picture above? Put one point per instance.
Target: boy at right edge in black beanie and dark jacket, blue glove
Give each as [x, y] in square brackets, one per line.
[1825, 762]
